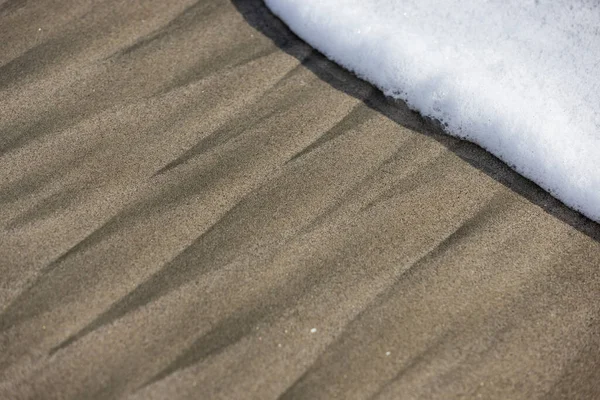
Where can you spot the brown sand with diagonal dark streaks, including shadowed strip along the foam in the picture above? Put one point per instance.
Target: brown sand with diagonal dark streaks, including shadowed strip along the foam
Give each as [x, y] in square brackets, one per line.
[195, 204]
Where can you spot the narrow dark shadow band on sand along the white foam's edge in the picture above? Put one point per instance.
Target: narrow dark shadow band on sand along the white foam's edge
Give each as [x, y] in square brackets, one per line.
[260, 18]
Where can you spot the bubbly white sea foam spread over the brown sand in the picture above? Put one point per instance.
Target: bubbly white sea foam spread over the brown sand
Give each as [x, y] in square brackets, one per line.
[520, 78]
